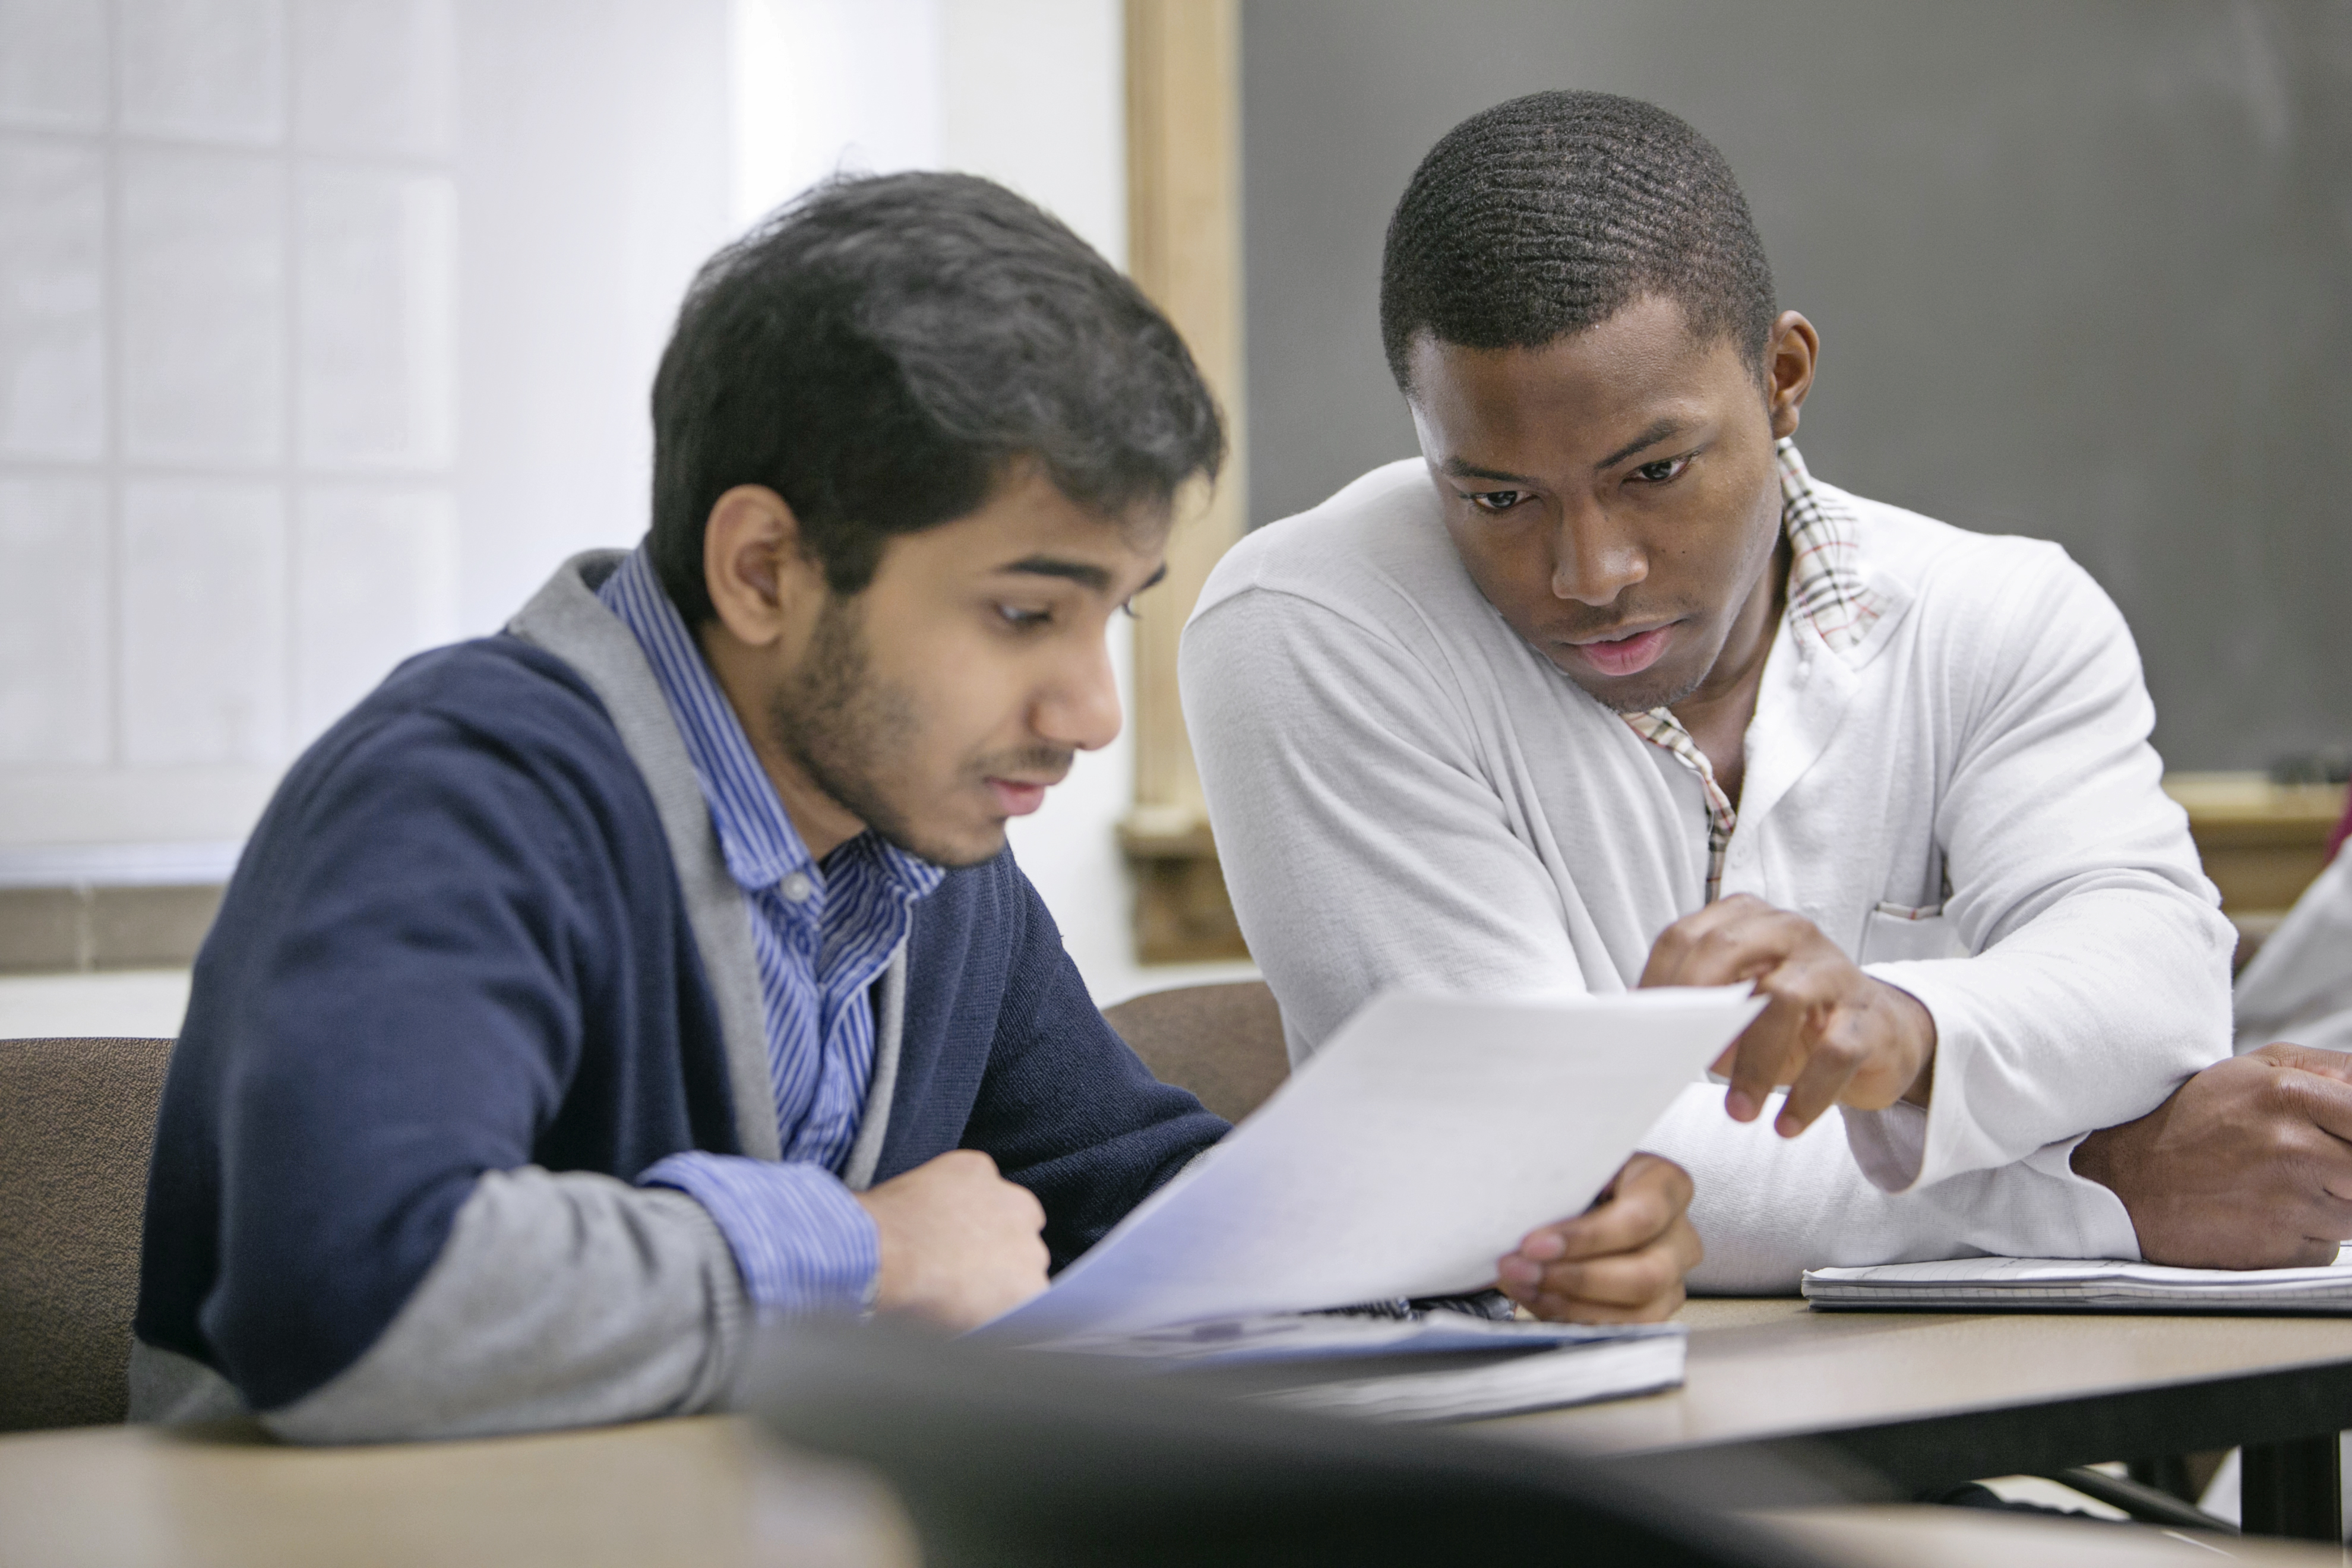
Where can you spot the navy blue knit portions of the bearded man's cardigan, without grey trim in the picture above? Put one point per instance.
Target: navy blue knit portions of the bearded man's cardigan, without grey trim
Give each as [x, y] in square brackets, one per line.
[457, 944]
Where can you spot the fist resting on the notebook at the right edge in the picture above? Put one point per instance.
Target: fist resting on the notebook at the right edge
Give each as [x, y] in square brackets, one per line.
[2245, 1167]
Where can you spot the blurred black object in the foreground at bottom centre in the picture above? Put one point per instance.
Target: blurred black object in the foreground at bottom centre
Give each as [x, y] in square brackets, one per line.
[1008, 1456]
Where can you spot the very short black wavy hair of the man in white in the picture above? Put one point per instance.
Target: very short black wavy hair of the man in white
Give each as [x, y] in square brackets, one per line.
[1549, 215]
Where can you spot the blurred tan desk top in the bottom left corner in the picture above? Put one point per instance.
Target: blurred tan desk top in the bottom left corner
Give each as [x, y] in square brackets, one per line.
[704, 1492]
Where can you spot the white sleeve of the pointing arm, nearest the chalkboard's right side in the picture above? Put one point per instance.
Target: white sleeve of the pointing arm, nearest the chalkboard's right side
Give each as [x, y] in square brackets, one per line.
[2099, 972]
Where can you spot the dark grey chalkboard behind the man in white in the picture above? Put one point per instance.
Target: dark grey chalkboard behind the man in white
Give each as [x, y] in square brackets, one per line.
[2083, 272]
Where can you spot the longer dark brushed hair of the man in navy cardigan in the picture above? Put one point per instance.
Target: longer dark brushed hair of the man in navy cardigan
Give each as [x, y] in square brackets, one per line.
[886, 349]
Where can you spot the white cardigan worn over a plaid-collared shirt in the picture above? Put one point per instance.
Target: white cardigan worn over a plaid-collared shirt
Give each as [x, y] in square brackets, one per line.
[1405, 793]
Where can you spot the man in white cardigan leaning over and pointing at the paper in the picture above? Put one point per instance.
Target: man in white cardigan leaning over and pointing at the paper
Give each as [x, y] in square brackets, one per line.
[1605, 690]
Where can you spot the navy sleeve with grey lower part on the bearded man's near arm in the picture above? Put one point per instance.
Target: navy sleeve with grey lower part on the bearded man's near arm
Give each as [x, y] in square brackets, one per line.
[382, 1033]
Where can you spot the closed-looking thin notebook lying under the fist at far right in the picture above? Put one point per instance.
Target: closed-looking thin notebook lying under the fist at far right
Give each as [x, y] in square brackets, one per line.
[2062, 1285]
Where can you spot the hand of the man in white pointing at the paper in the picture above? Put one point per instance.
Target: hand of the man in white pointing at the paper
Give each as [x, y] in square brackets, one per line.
[1829, 1031]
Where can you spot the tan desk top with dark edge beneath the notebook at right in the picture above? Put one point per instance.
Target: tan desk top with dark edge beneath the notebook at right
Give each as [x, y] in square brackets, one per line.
[1772, 1369]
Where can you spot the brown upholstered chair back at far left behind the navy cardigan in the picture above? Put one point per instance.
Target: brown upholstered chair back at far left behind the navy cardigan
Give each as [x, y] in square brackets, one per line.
[76, 1130]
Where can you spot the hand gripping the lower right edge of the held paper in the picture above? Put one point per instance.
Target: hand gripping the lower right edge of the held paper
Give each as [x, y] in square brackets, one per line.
[1622, 1261]
